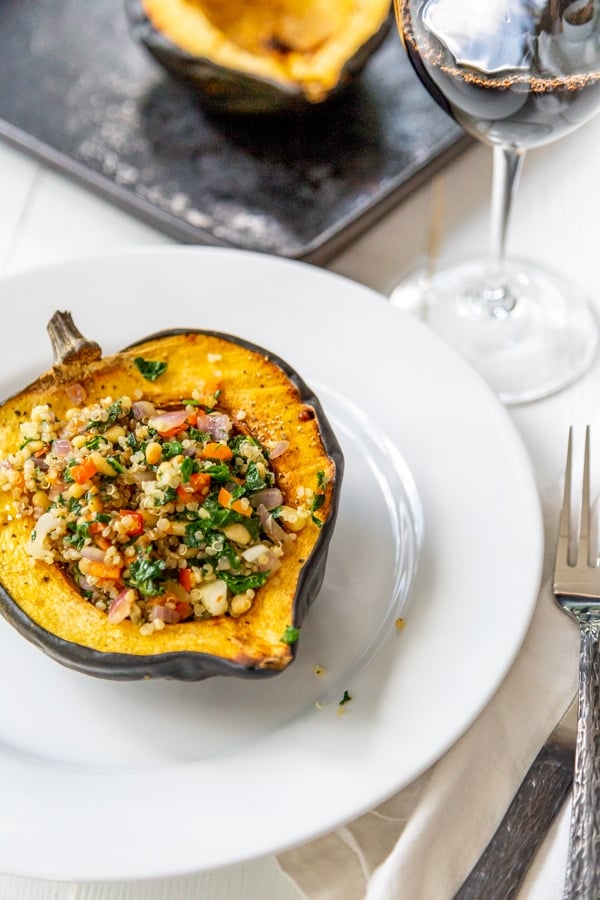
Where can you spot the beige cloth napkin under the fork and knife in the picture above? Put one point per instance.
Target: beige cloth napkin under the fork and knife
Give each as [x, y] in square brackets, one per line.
[423, 842]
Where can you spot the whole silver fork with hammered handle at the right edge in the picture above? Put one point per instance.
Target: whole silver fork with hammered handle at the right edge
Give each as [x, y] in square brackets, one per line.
[577, 591]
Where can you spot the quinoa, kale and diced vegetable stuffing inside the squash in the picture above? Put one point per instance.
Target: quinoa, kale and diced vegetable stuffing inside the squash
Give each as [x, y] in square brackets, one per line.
[158, 516]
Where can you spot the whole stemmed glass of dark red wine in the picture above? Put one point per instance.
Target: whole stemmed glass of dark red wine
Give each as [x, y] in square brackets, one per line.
[515, 74]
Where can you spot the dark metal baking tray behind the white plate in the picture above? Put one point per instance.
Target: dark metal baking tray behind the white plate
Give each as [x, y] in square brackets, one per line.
[79, 94]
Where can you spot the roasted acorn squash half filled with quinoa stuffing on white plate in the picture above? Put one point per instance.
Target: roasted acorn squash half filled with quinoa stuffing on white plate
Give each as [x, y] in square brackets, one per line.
[167, 511]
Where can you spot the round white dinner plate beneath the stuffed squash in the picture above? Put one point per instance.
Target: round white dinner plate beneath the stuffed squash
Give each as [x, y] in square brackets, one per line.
[103, 780]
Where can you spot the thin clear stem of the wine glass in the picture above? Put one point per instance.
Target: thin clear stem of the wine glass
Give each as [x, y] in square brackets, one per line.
[495, 299]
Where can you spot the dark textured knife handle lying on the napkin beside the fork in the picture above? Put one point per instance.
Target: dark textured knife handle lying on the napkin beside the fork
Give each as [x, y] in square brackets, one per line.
[501, 869]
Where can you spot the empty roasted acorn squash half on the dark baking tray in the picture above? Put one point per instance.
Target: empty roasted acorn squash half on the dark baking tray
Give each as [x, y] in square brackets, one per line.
[264, 56]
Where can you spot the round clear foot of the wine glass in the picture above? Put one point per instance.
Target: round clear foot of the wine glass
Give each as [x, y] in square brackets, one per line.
[543, 343]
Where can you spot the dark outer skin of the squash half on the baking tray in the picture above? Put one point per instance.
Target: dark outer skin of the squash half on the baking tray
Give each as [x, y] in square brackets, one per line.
[225, 89]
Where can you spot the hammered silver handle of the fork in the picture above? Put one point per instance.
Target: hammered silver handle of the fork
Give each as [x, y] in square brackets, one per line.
[583, 867]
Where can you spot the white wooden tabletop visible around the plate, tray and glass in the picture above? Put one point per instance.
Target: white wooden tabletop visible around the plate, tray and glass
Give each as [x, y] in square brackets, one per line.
[45, 218]
